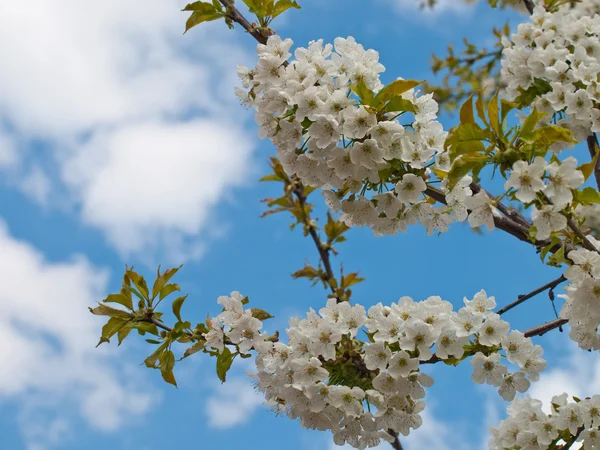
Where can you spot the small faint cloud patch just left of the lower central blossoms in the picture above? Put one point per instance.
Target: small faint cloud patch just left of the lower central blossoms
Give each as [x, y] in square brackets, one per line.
[232, 403]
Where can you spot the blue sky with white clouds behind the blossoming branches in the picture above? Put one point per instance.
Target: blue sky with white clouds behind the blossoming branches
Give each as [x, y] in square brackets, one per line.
[121, 142]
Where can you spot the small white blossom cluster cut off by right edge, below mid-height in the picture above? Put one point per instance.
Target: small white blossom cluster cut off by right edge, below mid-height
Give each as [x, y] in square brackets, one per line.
[583, 296]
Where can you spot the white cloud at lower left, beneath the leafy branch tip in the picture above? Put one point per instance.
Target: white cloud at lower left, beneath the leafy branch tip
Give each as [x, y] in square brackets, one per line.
[47, 338]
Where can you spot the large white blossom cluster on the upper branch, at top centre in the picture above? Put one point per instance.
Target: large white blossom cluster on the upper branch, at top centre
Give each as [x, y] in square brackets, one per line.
[372, 168]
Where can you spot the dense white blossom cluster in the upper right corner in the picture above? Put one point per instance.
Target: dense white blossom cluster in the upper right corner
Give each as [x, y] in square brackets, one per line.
[555, 59]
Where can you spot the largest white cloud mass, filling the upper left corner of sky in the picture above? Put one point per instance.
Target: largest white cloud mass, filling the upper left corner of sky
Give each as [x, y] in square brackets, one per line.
[146, 115]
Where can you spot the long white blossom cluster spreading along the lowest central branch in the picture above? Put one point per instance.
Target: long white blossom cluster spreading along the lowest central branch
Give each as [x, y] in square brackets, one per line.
[329, 379]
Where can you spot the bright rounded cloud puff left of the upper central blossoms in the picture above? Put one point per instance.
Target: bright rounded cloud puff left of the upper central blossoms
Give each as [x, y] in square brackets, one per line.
[157, 182]
